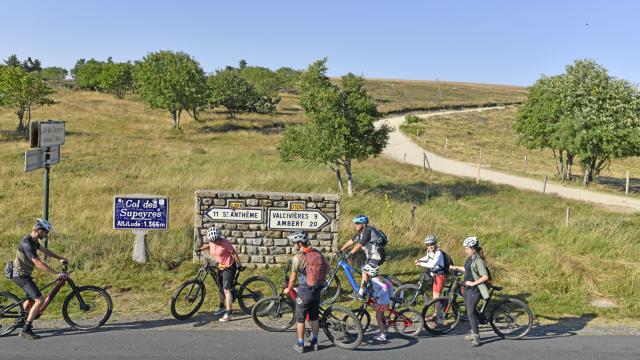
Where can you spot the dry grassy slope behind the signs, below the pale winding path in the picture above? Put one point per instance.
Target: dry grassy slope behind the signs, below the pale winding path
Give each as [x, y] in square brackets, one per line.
[119, 146]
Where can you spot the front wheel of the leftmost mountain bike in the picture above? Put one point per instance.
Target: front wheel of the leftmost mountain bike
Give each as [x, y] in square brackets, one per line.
[87, 308]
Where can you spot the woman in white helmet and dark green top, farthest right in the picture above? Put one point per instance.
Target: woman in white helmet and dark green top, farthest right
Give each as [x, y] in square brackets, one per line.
[475, 277]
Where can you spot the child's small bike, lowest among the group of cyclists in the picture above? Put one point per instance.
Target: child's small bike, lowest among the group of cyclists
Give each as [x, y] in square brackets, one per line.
[408, 322]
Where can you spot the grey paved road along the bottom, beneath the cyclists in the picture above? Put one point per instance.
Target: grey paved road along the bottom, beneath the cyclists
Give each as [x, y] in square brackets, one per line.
[200, 340]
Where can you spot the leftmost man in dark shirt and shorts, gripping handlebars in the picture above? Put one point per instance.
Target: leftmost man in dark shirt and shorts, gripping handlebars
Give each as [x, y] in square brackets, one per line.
[23, 265]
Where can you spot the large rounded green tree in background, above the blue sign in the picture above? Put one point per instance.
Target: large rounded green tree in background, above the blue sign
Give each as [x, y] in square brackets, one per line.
[171, 81]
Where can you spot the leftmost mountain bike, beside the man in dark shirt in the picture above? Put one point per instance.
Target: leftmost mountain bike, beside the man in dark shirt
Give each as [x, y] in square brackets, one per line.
[85, 308]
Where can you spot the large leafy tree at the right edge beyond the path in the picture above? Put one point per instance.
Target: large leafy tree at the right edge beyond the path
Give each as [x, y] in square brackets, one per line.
[582, 113]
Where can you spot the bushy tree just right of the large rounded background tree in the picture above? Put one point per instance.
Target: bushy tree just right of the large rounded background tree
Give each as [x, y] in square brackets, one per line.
[232, 91]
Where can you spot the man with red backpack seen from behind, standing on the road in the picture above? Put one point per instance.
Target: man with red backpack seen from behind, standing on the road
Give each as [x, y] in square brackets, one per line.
[309, 267]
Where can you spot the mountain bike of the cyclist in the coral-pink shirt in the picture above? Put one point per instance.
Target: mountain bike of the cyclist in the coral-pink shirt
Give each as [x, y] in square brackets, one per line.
[189, 296]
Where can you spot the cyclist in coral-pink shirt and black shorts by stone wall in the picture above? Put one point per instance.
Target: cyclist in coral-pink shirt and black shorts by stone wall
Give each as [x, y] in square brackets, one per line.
[223, 252]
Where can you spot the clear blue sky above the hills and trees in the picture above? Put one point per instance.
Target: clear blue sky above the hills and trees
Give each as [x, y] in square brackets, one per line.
[505, 42]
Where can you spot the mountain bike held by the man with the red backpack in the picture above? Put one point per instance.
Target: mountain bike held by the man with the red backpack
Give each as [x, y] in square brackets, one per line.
[341, 326]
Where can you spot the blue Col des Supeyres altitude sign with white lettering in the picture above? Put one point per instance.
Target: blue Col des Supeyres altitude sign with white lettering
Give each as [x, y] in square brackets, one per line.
[138, 213]
